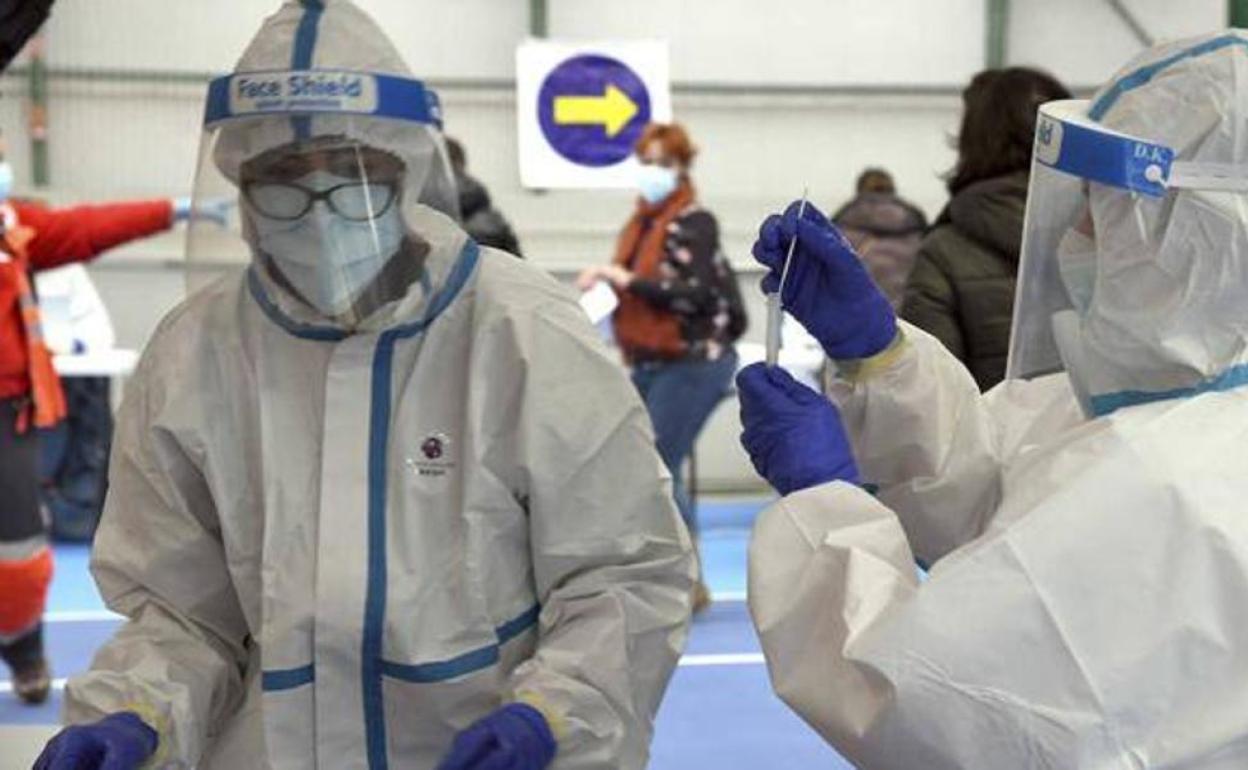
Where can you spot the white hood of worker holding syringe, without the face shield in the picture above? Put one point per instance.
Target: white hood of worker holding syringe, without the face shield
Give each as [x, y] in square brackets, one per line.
[1172, 273]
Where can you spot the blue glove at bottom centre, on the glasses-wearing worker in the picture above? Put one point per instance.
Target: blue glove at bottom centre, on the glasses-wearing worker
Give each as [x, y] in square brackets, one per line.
[514, 738]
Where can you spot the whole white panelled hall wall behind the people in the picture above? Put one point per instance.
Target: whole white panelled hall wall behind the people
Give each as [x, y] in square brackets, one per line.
[779, 95]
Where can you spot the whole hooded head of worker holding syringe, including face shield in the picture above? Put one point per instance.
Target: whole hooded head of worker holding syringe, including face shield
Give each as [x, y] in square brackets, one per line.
[1165, 314]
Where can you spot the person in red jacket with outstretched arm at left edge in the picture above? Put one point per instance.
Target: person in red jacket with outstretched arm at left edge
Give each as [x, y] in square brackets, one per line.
[33, 239]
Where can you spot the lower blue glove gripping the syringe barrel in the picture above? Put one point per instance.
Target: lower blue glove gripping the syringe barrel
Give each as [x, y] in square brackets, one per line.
[794, 436]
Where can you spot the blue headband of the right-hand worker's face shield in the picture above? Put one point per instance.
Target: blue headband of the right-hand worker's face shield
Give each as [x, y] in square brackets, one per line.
[1093, 154]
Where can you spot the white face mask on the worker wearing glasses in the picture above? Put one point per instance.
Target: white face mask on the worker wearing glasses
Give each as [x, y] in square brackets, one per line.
[328, 259]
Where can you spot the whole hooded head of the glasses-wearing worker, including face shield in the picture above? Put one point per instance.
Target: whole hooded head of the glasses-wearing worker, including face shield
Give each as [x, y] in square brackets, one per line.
[348, 205]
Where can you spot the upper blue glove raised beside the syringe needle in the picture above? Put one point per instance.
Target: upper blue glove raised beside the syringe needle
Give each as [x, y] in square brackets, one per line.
[828, 289]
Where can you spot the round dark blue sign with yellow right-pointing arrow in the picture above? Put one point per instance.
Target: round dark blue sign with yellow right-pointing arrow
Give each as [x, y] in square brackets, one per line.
[593, 109]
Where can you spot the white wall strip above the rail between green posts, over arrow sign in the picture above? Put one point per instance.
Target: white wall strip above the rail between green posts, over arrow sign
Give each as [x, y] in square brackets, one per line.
[787, 42]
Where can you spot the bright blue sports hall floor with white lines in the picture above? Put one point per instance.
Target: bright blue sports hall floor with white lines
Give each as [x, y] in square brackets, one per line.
[719, 712]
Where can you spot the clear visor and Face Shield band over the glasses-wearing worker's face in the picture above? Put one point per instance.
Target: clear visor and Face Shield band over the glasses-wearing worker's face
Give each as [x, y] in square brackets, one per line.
[335, 180]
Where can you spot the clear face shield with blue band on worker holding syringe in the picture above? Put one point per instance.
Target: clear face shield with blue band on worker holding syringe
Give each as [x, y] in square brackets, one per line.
[1071, 278]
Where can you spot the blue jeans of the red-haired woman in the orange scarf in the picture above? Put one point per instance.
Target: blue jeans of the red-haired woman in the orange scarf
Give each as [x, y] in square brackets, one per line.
[681, 396]
